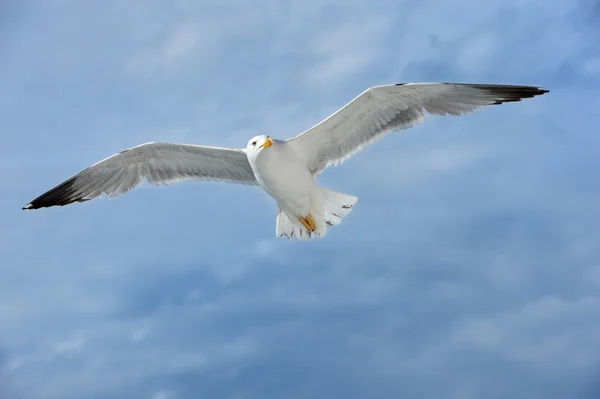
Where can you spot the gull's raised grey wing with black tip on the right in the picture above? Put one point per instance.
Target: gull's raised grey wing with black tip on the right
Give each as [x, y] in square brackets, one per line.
[383, 109]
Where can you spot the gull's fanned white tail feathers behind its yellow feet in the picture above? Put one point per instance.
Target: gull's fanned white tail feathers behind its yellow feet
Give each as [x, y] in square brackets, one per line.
[336, 206]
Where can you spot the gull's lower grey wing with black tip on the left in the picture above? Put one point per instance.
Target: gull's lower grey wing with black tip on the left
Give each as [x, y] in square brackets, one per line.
[157, 163]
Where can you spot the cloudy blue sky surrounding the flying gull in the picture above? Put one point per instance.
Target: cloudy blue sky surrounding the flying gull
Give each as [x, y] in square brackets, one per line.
[469, 268]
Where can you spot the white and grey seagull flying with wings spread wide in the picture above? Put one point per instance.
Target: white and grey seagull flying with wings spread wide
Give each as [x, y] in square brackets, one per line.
[286, 169]
